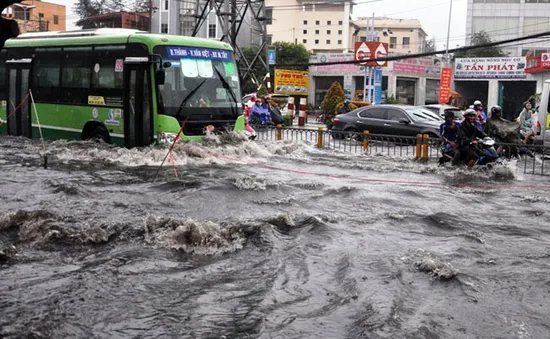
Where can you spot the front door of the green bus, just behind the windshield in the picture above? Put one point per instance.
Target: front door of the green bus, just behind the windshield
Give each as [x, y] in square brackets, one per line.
[138, 120]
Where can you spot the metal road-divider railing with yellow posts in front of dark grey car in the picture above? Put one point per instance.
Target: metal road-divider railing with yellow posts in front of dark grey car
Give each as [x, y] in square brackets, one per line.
[533, 159]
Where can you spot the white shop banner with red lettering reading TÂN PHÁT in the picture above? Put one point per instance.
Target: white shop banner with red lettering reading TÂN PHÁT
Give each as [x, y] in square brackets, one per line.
[490, 68]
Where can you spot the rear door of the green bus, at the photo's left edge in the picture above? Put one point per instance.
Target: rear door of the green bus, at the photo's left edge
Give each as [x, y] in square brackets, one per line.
[19, 101]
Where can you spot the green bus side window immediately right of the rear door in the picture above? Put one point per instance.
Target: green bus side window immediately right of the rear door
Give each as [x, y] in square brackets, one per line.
[45, 73]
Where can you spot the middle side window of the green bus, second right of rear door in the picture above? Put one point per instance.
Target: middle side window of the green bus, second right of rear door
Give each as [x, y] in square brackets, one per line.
[76, 74]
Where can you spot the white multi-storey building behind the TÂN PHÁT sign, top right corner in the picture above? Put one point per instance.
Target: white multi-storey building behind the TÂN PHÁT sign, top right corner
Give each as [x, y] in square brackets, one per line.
[507, 19]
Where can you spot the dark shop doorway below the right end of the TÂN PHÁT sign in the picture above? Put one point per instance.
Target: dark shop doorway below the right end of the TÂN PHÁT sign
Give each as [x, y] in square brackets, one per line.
[512, 95]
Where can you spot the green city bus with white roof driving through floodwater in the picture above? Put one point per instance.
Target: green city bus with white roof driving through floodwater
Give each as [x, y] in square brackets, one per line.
[123, 86]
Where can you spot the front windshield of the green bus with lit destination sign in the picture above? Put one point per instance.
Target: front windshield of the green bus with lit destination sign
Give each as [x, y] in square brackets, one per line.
[192, 77]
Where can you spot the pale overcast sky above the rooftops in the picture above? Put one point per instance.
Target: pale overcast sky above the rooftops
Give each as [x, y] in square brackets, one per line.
[433, 15]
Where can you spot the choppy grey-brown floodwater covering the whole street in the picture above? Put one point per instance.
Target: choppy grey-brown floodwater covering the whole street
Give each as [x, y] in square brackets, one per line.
[262, 239]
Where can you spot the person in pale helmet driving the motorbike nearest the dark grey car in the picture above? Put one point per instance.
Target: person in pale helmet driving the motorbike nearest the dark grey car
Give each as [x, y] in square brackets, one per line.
[466, 137]
